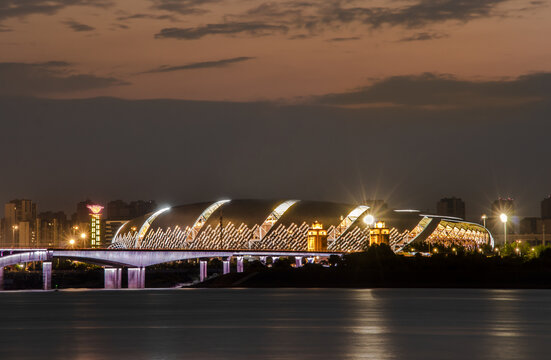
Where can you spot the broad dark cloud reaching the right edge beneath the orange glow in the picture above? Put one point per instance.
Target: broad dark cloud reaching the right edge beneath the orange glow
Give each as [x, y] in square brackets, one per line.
[433, 90]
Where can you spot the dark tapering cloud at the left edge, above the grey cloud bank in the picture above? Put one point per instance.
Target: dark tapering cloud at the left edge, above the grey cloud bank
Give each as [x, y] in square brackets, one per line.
[17, 79]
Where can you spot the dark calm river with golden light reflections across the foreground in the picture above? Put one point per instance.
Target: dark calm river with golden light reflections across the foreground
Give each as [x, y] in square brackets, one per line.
[276, 324]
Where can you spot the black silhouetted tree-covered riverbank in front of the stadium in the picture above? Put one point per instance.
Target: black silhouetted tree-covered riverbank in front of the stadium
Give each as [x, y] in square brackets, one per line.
[379, 268]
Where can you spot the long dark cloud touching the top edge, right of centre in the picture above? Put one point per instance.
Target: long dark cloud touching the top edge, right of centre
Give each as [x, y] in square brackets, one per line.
[323, 15]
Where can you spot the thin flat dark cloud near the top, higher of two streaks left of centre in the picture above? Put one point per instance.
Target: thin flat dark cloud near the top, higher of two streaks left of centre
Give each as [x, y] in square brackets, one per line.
[229, 28]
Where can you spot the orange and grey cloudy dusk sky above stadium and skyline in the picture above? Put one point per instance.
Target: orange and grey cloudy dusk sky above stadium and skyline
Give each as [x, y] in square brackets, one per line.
[196, 100]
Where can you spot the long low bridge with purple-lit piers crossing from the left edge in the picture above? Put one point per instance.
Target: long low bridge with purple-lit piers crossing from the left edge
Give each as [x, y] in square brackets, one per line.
[136, 260]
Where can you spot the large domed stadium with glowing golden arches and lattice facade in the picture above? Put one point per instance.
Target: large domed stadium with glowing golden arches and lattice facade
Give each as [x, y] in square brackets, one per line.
[287, 225]
